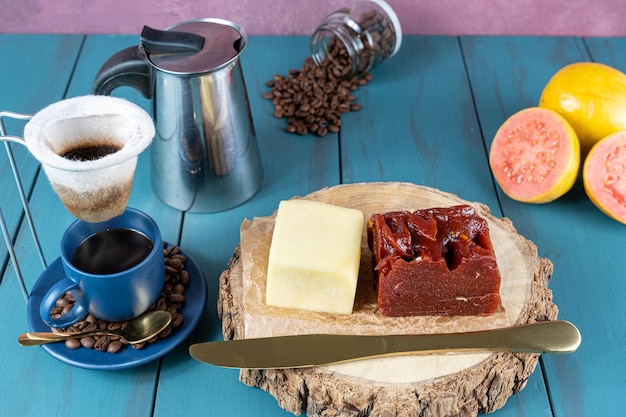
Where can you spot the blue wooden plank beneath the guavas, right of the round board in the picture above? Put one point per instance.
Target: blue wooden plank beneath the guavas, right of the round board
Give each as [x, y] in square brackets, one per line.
[508, 74]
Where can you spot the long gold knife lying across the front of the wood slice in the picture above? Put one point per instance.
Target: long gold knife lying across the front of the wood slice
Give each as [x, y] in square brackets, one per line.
[300, 351]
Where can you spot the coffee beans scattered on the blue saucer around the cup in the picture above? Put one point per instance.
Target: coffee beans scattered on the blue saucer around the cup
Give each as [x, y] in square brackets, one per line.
[171, 299]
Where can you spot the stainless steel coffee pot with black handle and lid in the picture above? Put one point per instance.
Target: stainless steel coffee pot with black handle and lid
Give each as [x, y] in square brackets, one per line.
[204, 155]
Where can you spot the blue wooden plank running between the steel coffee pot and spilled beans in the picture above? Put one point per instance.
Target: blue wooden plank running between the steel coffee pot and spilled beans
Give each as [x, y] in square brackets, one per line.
[293, 165]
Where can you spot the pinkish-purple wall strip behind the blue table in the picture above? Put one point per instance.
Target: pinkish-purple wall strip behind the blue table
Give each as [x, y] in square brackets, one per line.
[300, 17]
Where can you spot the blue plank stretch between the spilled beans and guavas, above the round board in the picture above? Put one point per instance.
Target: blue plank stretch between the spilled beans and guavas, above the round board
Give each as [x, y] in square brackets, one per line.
[418, 124]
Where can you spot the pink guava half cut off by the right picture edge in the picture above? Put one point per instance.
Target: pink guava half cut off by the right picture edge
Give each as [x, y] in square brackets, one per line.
[604, 176]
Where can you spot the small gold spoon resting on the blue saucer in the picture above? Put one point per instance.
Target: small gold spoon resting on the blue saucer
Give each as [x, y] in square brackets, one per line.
[137, 330]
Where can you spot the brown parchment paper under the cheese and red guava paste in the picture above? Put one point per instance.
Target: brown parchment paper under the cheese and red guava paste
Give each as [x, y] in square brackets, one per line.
[262, 320]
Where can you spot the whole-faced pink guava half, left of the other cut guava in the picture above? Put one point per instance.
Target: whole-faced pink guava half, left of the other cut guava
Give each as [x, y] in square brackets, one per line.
[535, 156]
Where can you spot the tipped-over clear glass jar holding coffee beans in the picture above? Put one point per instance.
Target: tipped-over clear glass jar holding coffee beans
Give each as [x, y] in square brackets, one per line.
[350, 42]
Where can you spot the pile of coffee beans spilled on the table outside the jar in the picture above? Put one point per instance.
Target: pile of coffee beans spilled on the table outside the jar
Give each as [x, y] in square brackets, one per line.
[313, 98]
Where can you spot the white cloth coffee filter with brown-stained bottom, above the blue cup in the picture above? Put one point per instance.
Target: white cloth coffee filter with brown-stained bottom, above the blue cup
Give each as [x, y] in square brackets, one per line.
[93, 190]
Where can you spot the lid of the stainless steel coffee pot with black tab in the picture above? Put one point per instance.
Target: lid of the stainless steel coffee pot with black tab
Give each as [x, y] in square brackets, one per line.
[193, 47]
